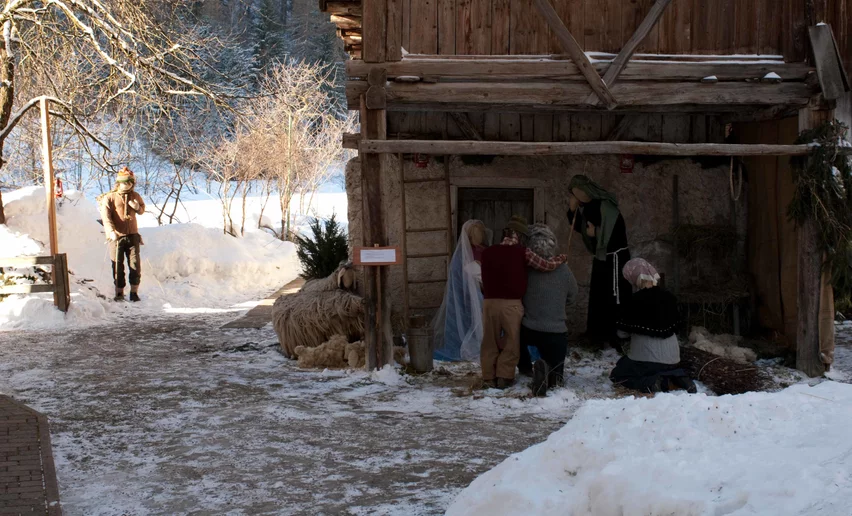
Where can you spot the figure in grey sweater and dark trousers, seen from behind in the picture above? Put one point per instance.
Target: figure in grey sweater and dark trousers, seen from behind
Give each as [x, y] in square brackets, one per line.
[544, 324]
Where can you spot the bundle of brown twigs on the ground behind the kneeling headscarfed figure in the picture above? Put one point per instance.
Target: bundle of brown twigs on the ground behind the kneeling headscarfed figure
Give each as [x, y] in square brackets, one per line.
[723, 375]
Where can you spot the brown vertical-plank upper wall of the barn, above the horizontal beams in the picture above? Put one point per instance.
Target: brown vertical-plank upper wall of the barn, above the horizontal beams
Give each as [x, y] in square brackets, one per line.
[514, 27]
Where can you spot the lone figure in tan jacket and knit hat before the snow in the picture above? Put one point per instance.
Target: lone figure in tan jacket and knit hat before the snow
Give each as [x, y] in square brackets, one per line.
[118, 211]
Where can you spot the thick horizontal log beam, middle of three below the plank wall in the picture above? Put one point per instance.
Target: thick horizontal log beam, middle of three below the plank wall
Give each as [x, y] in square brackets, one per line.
[552, 95]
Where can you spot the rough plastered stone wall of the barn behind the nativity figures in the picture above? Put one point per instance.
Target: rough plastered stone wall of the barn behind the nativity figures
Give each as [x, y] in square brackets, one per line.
[645, 199]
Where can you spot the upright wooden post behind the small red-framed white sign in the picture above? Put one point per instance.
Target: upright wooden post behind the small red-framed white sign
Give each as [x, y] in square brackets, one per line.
[377, 323]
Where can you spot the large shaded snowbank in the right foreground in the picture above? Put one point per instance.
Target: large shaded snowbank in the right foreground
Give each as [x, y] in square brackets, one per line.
[758, 453]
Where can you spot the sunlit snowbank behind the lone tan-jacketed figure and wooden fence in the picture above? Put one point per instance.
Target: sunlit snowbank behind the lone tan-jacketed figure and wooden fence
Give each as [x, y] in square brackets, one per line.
[184, 266]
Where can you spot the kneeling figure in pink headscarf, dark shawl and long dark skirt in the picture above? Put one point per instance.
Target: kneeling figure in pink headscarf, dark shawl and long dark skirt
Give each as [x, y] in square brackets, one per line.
[650, 319]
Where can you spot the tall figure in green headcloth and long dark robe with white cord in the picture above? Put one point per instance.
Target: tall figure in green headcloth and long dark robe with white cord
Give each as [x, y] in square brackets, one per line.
[604, 233]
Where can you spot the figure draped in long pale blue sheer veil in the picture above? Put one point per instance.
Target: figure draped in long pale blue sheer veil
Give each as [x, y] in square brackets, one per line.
[458, 324]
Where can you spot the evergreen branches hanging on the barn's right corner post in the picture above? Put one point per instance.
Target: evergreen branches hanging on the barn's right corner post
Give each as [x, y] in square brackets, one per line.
[823, 194]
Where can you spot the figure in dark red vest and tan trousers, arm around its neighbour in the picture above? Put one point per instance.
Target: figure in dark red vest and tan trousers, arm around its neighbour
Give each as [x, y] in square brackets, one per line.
[504, 283]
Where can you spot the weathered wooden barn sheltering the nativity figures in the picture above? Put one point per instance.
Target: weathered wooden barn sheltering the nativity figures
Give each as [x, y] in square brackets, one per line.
[687, 110]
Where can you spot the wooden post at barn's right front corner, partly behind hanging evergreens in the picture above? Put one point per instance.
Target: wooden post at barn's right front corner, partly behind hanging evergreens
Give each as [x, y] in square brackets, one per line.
[810, 276]
